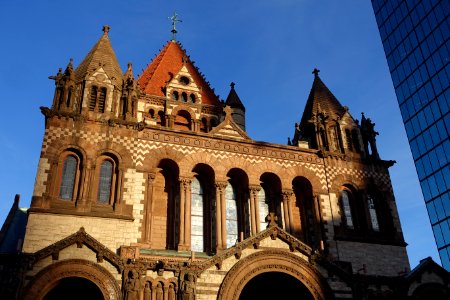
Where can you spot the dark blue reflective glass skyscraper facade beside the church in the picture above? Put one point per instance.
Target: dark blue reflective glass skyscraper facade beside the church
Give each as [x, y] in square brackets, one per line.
[415, 37]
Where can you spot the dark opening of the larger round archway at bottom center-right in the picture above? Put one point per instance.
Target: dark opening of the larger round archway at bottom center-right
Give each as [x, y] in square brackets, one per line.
[274, 285]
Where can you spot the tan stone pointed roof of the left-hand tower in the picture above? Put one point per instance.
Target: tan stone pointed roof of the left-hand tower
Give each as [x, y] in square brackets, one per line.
[102, 54]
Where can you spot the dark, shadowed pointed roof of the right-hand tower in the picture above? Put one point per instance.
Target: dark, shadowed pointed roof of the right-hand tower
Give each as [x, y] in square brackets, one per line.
[321, 100]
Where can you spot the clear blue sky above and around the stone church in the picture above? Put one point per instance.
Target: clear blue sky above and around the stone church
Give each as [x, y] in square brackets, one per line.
[267, 47]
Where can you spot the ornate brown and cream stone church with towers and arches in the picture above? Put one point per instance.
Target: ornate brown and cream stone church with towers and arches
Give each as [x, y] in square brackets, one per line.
[148, 187]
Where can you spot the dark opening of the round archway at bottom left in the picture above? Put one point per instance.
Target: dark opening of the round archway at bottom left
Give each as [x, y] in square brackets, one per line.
[74, 288]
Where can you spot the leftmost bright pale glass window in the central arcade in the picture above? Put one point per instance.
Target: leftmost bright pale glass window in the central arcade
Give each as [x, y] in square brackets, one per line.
[197, 227]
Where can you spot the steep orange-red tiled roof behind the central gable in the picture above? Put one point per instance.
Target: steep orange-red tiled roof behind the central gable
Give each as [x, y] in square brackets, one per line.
[165, 65]
